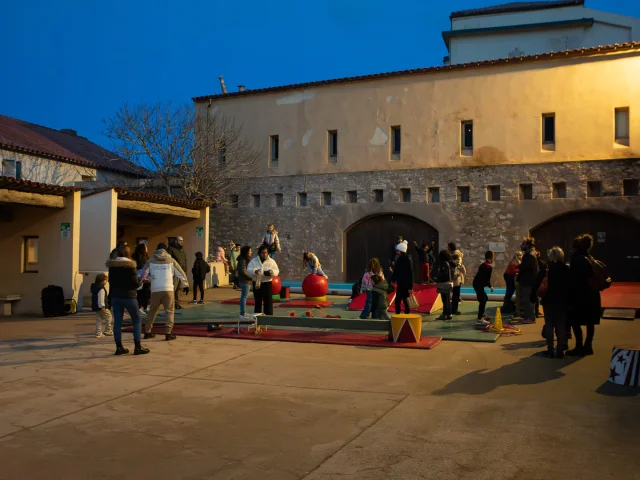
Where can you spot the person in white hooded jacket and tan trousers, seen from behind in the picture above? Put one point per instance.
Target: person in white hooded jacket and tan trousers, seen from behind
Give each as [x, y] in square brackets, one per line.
[161, 270]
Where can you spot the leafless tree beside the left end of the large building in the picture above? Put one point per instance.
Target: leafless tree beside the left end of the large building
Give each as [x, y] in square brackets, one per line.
[194, 155]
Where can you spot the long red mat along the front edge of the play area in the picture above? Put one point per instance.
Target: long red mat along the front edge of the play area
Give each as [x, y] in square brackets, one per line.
[333, 338]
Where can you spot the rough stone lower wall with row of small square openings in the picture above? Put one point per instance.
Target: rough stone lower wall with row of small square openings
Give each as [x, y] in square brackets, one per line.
[471, 225]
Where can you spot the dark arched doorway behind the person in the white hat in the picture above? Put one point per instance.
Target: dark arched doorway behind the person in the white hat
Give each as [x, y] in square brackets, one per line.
[376, 236]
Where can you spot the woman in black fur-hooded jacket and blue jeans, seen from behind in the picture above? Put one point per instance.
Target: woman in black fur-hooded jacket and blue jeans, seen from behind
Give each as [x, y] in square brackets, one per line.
[123, 290]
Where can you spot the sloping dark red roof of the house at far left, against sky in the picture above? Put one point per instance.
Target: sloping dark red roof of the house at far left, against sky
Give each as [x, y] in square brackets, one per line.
[66, 146]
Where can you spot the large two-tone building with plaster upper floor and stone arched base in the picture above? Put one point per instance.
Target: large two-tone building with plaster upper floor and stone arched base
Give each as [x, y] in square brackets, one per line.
[481, 154]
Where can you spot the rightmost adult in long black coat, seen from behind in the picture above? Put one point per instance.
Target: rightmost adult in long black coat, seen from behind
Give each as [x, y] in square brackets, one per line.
[585, 295]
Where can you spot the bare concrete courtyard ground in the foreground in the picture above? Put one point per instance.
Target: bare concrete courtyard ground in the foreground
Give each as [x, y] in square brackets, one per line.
[200, 408]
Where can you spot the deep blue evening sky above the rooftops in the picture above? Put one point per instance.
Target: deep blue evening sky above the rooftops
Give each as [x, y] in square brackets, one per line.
[72, 63]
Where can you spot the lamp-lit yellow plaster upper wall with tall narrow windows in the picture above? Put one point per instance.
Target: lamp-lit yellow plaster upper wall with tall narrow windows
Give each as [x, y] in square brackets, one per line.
[505, 103]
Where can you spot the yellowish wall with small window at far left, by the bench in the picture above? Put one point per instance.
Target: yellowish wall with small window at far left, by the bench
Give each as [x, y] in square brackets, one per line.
[58, 257]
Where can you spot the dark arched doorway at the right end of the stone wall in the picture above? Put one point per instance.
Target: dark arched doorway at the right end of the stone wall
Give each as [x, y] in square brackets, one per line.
[616, 239]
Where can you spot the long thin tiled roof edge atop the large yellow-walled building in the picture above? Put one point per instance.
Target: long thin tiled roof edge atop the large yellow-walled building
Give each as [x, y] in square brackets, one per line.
[579, 52]
